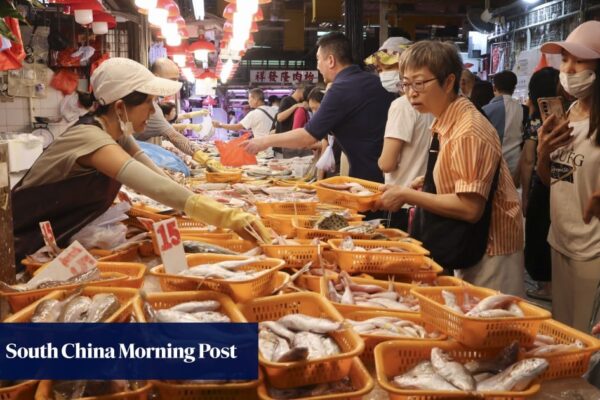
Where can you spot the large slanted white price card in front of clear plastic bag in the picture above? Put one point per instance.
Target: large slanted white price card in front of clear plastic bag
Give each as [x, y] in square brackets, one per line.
[72, 261]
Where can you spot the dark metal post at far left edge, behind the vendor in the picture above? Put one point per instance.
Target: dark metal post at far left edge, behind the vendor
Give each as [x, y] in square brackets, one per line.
[7, 251]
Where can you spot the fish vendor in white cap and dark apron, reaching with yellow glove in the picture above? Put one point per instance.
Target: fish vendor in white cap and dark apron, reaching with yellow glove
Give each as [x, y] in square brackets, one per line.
[77, 178]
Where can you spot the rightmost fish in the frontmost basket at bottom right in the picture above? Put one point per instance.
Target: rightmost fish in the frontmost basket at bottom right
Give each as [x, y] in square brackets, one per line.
[515, 378]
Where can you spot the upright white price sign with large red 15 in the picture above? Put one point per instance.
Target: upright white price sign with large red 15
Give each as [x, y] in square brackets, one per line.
[170, 245]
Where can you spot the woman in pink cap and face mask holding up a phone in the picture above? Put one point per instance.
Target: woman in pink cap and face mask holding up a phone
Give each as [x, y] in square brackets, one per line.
[569, 161]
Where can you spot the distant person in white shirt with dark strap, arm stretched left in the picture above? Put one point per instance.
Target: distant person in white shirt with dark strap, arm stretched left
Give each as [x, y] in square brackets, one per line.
[259, 120]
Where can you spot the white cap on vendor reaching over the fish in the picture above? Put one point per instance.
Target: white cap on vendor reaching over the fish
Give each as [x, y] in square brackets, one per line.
[117, 77]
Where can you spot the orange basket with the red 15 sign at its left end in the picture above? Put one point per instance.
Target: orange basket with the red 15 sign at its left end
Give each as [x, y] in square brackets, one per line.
[243, 291]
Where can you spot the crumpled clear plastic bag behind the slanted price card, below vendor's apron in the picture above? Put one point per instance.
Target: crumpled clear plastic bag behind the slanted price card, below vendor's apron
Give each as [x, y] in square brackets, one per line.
[106, 231]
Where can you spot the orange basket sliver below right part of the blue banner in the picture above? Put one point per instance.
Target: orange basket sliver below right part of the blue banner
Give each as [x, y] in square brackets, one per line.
[213, 391]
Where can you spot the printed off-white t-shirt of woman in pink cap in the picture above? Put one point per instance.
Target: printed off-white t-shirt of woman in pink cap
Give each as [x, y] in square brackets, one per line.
[569, 194]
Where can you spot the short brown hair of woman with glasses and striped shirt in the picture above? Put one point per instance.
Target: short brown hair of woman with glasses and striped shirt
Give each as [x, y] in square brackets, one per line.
[441, 58]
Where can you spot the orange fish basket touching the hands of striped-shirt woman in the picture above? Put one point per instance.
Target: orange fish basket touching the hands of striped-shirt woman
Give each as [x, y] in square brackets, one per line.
[347, 199]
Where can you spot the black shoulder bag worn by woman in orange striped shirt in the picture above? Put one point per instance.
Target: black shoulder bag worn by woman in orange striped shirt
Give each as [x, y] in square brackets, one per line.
[453, 243]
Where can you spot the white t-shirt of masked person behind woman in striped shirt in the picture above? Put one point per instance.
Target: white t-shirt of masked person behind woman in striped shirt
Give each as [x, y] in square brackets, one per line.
[412, 127]
